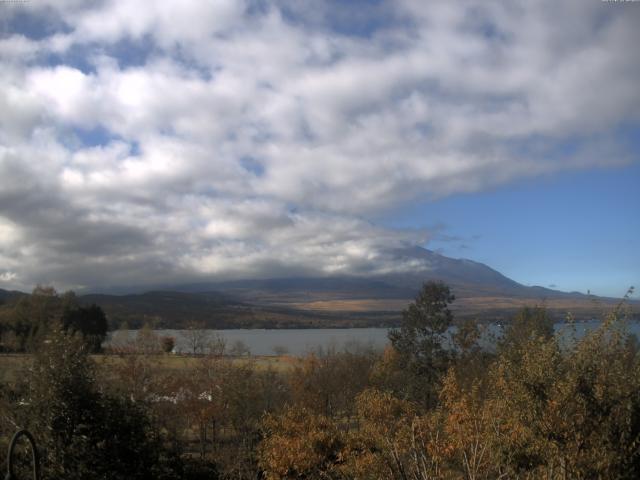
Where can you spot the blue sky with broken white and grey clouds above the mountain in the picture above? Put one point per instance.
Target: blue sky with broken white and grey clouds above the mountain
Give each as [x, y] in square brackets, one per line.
[148, 143]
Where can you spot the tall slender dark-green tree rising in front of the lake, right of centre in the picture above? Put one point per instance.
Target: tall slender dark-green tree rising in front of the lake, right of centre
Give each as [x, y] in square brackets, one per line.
[421, 337]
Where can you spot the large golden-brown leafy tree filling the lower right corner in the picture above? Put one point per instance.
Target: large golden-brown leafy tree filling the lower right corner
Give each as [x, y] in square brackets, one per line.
[571, 411]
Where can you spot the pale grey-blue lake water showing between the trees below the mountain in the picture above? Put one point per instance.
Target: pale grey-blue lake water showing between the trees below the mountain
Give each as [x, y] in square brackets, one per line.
[302, 341]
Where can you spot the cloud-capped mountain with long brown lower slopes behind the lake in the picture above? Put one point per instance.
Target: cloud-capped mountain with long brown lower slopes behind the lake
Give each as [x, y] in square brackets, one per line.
[336, 301]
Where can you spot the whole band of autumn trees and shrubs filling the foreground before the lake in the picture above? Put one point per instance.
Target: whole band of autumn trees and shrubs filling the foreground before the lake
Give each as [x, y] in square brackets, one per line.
[534, 405]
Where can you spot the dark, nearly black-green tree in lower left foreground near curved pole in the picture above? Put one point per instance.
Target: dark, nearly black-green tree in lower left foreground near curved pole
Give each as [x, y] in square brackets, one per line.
[85, 432]
